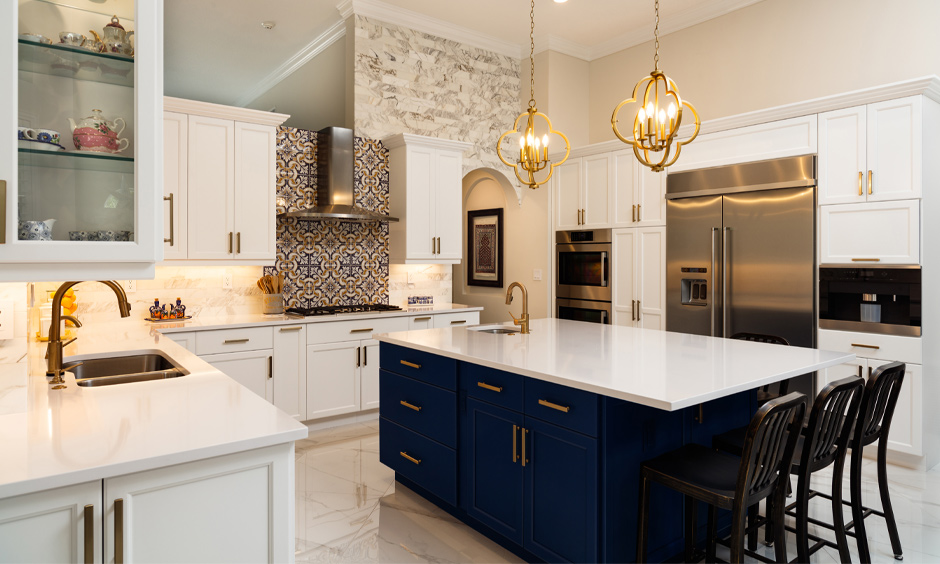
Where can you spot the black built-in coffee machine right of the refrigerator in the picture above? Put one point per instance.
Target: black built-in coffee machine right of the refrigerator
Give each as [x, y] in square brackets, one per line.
[873, 299]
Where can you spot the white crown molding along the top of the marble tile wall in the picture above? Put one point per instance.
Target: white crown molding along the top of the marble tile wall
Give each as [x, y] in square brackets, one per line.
[419, 22]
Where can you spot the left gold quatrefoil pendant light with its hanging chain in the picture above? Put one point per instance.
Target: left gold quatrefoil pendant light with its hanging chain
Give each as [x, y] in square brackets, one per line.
[533, 150]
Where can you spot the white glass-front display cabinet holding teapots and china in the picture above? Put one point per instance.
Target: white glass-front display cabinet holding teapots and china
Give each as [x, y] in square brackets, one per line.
[81, 139]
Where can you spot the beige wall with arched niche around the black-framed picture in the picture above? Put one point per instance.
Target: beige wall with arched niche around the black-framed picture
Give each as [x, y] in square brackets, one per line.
[525, 246]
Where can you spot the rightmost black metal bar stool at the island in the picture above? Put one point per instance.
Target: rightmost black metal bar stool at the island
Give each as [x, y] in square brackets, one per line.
[873, 423]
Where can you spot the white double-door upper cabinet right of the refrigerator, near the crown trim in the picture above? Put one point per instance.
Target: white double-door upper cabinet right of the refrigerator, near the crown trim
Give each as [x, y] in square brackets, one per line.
[872, 152]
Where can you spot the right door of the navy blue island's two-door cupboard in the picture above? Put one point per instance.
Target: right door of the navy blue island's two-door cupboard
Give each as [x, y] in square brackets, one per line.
[561, 493]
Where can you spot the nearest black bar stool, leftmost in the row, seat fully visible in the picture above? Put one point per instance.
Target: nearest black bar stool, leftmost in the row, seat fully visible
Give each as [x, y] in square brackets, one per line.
[729, 482]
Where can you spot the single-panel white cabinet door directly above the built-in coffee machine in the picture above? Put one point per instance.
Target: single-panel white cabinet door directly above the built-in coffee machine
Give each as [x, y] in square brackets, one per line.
[885, 232]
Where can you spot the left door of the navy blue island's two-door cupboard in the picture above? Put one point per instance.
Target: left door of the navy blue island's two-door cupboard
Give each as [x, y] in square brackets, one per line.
[491, 466]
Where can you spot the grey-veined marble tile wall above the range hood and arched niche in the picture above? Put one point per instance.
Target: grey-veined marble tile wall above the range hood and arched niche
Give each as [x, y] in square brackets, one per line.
[410, 81]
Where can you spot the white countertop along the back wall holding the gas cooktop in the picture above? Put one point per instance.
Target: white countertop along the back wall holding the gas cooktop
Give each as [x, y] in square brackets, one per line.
[259, 319]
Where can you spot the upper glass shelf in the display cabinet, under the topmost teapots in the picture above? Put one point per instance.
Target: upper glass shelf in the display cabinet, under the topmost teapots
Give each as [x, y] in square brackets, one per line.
[76, 63]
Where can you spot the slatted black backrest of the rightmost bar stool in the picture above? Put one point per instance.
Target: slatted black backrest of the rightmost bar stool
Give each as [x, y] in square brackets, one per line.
[878, 403]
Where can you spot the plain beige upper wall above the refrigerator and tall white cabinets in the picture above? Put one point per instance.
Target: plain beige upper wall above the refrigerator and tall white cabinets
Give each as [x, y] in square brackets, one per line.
[777, 52]
